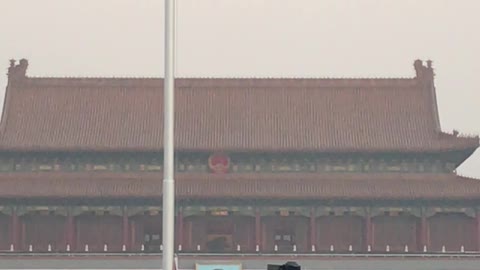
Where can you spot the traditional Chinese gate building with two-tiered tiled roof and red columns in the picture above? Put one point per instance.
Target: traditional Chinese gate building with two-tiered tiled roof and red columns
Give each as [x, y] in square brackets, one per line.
[263, 165]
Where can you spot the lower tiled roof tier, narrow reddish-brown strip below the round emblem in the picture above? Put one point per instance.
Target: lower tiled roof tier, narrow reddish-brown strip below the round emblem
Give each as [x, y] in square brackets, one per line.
[324, 186]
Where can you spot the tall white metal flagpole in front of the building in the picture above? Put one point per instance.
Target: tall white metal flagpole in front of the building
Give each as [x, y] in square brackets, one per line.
[168, 145]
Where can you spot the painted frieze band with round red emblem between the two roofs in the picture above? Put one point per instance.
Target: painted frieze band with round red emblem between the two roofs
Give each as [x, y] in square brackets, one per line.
[221, 163]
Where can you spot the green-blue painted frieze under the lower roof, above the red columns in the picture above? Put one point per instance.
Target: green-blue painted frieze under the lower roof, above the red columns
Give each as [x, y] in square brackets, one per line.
[198, 210]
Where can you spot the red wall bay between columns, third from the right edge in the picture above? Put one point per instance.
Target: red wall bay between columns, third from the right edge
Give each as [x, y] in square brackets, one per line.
[340, 231]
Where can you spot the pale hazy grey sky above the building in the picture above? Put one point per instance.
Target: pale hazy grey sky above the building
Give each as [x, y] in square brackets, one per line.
[259, 38]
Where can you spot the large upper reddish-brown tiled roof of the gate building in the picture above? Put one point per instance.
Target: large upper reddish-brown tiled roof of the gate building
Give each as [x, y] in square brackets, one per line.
[337, 115]
